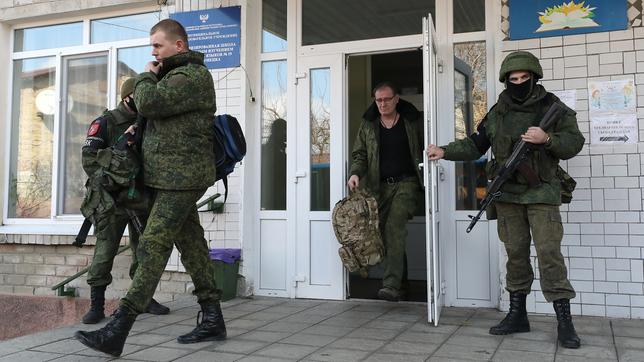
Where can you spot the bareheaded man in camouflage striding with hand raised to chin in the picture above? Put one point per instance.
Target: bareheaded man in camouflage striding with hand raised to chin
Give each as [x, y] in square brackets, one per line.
[176, 94]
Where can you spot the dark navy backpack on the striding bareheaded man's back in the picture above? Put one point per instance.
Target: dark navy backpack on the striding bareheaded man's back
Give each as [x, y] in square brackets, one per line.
[229, 147]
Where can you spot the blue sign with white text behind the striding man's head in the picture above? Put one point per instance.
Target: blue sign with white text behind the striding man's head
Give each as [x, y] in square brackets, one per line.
[214, 32]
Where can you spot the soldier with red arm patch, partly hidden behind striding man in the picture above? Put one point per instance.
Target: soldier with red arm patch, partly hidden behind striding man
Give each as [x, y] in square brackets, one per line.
[109, 226]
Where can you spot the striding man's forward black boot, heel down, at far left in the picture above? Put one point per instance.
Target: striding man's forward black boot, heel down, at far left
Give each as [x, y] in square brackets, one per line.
[111, 338]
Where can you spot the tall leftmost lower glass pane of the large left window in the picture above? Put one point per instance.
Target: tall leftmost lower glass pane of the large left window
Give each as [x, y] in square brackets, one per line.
[33, 108]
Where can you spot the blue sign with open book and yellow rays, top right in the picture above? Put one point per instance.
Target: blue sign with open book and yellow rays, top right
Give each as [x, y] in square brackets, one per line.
[542, 18]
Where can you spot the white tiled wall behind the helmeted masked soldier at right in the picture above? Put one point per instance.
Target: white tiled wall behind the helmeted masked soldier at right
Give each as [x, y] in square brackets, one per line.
[604, 235]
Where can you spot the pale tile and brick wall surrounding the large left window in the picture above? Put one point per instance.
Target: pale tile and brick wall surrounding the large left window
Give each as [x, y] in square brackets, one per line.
[32, 263]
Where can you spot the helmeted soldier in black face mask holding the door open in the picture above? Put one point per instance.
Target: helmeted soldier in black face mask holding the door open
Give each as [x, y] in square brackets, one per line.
[526, 212]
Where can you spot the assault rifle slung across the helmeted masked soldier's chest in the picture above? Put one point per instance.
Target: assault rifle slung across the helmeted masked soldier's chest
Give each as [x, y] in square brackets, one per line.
[516, 162]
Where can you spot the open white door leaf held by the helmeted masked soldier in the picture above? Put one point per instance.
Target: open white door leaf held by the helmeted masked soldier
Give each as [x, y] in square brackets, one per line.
[430, 173]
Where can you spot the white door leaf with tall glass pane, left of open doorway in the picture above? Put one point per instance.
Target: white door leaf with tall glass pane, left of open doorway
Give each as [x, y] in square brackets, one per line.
[319, 176]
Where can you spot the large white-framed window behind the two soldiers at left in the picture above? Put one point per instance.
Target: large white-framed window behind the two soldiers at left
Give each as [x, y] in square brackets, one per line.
[63, 77]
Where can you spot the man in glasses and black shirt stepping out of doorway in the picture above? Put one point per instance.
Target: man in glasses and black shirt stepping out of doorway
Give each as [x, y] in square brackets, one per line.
[386, 151]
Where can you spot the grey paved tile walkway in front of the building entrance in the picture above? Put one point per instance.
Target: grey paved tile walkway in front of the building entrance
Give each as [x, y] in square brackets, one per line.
[272, 329]
